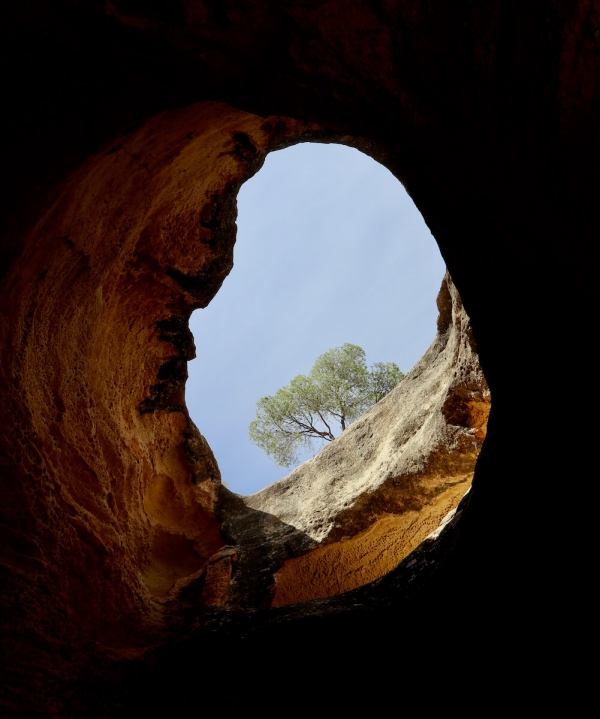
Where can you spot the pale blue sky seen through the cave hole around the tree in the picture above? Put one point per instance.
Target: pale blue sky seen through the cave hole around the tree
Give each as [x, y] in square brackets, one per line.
[330, 249]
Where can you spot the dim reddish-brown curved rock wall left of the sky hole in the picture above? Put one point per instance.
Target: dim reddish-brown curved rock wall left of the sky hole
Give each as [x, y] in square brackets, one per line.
[110, 490]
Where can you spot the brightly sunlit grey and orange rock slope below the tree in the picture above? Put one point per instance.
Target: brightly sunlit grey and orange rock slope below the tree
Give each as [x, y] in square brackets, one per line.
[362, 504]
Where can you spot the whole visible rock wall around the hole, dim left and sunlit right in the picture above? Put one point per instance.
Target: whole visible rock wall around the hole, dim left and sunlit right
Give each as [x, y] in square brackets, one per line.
[123, 521]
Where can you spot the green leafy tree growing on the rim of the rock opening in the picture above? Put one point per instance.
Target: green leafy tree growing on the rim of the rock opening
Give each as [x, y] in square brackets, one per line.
[337, 390]
